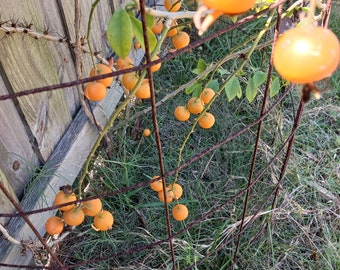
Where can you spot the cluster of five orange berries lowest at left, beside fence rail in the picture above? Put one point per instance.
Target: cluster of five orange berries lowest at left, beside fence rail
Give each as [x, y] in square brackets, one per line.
[74, 214]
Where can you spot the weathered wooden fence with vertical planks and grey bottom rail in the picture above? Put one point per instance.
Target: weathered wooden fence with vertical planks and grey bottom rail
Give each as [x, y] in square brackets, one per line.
[47, 130]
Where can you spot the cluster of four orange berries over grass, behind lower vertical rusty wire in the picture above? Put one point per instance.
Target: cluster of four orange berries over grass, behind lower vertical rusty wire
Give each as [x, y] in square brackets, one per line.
[173, 192]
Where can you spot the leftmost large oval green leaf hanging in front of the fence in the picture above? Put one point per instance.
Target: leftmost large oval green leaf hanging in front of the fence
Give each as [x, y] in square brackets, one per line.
[119, 33]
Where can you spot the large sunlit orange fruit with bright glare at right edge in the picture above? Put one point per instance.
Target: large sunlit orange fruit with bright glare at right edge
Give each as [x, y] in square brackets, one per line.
[306, 54]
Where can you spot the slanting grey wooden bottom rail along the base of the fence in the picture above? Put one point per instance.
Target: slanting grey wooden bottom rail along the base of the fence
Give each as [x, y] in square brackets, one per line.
[62, 168]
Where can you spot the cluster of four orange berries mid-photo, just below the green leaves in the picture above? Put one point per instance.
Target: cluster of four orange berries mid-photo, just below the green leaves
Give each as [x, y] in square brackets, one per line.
[195, 105]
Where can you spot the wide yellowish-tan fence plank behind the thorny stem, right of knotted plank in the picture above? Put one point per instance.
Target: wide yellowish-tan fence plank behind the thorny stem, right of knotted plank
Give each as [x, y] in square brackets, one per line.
[30, 63]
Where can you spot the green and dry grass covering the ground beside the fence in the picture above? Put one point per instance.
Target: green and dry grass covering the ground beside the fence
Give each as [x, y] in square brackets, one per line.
[302, 232]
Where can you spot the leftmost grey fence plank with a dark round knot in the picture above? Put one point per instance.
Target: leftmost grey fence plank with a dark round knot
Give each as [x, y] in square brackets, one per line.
[16, 154]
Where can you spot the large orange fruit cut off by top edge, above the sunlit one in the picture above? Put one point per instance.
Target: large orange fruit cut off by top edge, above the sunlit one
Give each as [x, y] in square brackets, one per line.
[232, 7]
